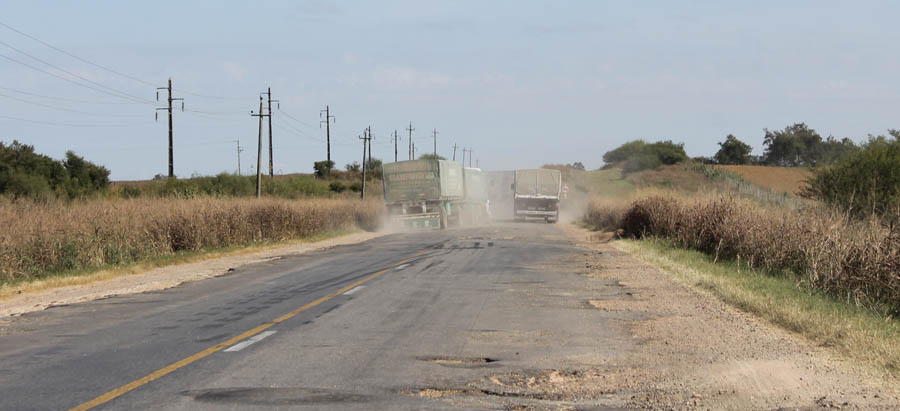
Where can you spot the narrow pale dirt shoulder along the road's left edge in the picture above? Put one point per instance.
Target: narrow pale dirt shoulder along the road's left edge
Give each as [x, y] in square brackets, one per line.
[105, 284]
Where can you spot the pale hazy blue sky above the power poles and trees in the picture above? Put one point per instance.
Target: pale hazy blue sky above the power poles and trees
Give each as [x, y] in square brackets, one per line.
[521, 83]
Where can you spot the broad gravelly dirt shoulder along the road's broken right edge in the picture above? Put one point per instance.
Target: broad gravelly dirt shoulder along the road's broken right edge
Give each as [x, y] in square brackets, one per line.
[698, 352]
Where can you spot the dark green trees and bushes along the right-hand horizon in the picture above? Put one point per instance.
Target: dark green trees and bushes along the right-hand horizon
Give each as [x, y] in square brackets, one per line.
[860, 179]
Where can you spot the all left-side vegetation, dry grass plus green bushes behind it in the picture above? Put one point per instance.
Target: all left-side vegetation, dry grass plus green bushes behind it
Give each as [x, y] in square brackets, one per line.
[64, 217]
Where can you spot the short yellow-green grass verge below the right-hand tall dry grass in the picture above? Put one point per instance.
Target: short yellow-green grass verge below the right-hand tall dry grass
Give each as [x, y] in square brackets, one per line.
[852, 331]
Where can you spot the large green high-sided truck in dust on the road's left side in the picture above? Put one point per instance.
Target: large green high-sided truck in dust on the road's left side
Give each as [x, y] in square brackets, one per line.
[422, 194]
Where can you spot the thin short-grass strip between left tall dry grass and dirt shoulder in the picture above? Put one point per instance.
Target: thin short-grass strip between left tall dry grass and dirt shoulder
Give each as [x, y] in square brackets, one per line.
[90, 275]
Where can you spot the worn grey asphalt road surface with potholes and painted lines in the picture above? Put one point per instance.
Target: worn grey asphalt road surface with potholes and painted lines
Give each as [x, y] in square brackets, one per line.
[399, 322]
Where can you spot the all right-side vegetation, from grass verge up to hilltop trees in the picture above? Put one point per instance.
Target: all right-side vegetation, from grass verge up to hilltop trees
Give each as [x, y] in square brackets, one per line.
[805, 235]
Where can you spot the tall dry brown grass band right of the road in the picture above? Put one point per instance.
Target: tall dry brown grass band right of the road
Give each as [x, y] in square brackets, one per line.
[858, 261]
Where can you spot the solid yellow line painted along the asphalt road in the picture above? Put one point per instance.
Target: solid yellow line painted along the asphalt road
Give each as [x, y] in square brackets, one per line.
[231, 341]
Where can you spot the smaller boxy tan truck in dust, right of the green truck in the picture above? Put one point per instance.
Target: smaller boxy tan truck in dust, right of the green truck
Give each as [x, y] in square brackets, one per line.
[536, 194]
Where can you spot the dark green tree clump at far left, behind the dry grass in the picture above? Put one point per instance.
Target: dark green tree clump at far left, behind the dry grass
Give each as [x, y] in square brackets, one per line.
[24, 173]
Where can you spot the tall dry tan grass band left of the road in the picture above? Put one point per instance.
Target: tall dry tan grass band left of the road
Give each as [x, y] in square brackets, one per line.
[41, 238]
